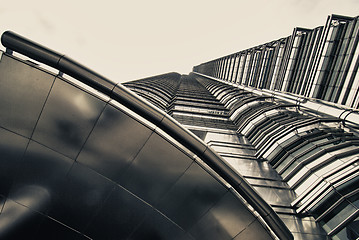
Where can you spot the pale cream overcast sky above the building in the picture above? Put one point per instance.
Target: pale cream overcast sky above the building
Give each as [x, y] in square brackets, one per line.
[128, 40]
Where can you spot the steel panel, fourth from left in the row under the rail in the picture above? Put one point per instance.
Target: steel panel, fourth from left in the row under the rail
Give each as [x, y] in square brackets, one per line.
[155, 169]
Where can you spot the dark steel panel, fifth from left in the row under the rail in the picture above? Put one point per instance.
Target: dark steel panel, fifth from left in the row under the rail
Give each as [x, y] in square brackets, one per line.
[192, 195]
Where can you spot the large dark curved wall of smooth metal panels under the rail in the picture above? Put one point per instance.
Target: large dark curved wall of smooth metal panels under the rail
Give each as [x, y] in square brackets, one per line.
[78, 165]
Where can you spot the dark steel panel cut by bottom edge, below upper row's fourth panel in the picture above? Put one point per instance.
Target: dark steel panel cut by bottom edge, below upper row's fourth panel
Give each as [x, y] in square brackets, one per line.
[120, 215]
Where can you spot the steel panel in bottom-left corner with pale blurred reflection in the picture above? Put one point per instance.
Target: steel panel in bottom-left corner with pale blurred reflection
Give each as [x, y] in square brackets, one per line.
[18, 222]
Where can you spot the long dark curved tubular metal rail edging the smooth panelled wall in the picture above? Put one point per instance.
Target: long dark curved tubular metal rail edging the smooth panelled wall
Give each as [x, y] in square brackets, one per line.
[121, 94]
